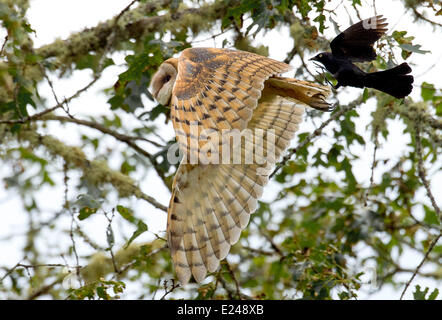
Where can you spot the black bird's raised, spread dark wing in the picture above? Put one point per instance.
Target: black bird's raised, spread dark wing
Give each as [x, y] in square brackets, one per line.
[356, 43]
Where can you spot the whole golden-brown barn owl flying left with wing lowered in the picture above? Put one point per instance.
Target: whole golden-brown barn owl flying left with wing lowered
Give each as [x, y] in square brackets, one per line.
[218, 90]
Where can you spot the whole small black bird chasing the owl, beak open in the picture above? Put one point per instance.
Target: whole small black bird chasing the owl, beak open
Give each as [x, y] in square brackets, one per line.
[356, 45]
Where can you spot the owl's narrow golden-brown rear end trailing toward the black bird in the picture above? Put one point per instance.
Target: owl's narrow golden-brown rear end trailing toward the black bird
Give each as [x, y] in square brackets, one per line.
[312, 94]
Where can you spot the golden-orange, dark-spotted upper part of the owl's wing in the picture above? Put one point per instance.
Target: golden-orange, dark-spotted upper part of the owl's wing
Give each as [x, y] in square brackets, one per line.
[218, 89]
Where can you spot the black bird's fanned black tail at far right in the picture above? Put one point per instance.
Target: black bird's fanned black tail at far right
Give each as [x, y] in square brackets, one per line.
[396, 81]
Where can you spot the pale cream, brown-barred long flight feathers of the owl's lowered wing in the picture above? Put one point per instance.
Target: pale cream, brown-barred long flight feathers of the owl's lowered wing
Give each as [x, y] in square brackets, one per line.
[211, 204]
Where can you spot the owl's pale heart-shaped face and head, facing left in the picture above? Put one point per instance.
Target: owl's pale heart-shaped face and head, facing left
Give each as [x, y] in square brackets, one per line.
[163, 80]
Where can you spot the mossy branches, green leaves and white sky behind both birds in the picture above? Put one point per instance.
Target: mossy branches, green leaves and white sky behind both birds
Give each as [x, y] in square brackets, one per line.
[357, 194]
